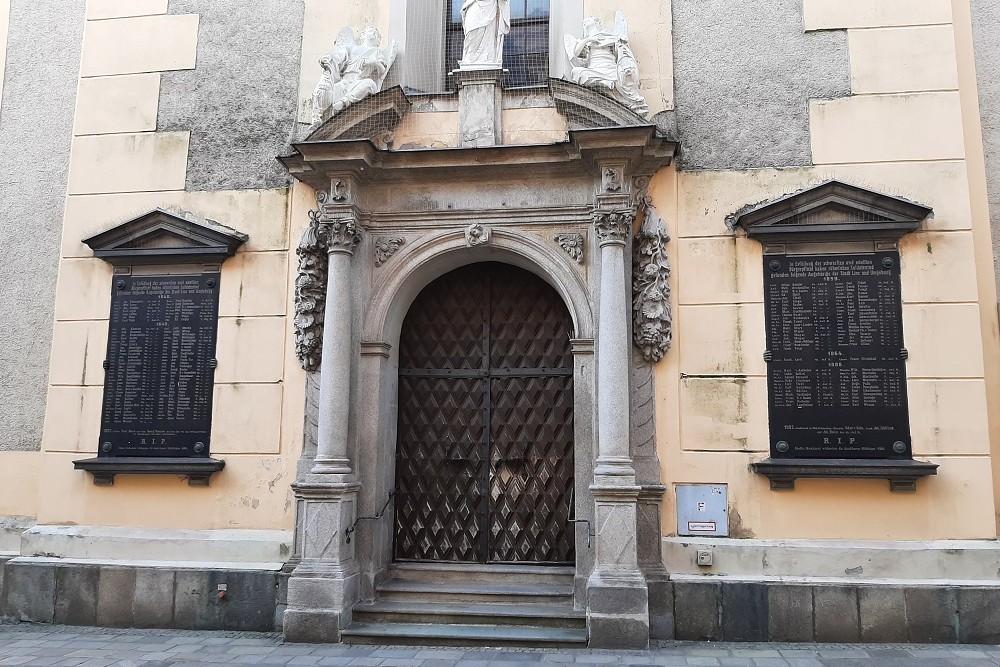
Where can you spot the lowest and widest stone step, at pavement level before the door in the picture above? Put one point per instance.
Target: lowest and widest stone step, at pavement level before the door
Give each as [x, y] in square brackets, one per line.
[418, 634]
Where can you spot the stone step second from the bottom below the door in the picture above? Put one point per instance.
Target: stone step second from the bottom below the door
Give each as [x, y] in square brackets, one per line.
[553, 616]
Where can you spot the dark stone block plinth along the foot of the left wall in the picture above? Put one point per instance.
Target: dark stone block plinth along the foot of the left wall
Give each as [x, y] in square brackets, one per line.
[120, 595]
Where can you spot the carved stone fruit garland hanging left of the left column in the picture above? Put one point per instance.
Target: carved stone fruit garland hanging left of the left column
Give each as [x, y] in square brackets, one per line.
[310, 291]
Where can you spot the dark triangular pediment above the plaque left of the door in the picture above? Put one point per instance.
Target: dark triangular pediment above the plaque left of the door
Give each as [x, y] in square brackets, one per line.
[162, 237]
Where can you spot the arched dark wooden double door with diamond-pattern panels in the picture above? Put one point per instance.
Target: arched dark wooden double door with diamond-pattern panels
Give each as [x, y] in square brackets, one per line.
[484, 454]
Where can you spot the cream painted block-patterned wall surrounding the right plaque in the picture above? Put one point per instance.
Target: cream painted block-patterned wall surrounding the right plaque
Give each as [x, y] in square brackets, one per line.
[904, 132]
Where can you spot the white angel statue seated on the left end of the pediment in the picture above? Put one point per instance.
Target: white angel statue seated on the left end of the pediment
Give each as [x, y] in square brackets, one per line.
[351, 72]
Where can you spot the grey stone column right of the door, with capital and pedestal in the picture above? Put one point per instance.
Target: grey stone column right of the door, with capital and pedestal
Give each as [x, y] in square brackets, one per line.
[617, 597]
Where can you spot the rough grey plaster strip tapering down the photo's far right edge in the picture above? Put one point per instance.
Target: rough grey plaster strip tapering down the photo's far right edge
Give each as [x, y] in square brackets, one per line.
[987, 39]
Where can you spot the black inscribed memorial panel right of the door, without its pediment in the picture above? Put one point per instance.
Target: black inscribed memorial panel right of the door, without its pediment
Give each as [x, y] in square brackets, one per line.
[837, 373]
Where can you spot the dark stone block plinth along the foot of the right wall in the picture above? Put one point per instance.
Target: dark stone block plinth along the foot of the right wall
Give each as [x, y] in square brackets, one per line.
[805, 612]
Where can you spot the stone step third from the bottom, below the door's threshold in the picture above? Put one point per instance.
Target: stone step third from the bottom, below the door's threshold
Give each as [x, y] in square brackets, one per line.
[490, 593]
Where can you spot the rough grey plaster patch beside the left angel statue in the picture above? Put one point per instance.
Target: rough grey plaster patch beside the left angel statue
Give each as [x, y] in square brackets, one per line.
[240, 103]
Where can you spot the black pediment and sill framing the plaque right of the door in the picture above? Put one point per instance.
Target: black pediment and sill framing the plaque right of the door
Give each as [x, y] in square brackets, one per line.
[833, 218]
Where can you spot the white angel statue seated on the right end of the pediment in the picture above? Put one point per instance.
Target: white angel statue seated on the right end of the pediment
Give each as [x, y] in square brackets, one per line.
[603, 59]
